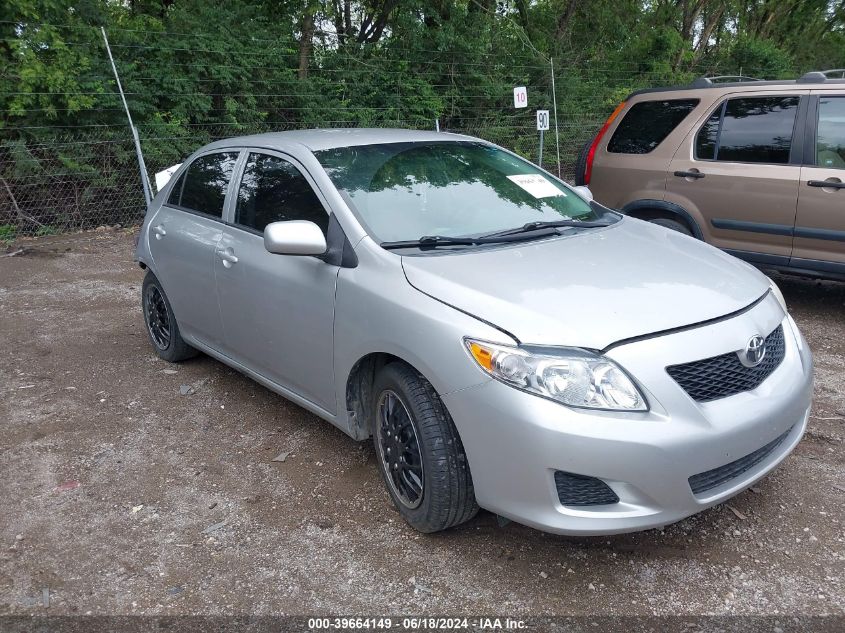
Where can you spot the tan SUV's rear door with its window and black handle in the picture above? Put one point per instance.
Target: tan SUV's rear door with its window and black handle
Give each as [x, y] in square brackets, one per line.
[739, 170]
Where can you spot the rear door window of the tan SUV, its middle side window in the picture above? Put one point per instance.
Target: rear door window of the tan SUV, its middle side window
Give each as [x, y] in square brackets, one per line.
[749, 130]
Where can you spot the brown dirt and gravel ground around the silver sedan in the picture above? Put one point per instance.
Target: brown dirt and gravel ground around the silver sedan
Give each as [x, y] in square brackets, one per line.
[121, 495]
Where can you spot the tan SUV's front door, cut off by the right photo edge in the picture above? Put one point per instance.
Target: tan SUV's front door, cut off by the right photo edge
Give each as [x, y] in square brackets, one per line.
[820, 223]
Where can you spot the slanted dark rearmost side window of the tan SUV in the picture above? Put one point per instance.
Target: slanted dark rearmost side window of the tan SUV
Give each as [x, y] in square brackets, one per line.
[647, 123]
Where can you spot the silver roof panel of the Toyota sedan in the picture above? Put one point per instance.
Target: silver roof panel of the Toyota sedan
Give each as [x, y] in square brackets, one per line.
[319, 139]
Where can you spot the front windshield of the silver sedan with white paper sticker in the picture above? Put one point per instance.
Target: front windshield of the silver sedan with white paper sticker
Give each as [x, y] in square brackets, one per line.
[404, 191]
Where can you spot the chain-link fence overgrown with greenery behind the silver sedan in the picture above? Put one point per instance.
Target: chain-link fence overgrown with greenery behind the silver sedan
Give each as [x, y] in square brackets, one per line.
[78, 169]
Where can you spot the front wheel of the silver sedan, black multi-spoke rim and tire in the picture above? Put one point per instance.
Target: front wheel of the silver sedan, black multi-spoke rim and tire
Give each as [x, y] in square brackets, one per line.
[420, 454]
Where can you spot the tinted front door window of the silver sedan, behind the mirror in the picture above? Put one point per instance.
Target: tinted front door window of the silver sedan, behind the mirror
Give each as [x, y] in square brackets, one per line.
[273, 190]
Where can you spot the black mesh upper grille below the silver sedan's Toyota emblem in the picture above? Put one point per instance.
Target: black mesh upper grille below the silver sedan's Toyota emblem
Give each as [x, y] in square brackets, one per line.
[723, 376]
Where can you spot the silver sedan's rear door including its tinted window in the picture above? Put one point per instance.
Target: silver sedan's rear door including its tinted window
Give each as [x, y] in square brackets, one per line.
[183, 236]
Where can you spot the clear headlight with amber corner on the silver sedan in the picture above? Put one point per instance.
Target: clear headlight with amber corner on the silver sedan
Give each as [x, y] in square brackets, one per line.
[571, 376]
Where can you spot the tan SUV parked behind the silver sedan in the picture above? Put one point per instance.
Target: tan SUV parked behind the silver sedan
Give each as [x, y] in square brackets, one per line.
[753, 167]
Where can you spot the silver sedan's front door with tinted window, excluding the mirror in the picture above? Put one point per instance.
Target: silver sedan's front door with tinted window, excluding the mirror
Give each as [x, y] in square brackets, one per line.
[277, 310]
